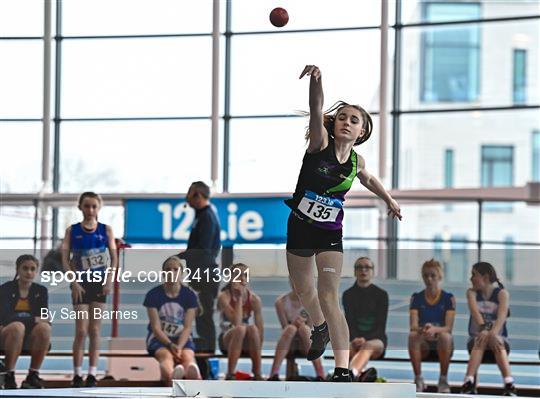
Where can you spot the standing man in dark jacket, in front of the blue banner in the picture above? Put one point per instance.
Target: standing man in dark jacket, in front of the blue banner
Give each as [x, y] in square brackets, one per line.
[203, 247]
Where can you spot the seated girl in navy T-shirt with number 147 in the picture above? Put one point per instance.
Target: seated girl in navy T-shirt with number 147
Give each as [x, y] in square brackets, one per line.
[171, 308]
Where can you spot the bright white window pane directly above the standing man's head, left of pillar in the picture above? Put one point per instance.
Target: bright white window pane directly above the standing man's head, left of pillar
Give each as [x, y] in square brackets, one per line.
[134, 156]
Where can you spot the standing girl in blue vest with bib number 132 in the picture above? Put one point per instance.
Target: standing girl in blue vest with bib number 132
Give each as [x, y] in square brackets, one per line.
[88, 242]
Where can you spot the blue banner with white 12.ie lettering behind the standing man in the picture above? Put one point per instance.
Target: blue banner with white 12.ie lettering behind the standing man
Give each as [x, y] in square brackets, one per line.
[243, 220]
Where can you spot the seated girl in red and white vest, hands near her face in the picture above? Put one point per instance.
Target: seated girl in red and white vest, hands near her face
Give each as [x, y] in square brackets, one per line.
[239, 335]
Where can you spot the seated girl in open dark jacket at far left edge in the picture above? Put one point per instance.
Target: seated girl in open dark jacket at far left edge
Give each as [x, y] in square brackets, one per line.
[21, 326]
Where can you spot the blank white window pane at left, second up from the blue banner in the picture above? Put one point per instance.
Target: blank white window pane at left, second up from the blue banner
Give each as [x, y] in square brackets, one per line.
[110, 78]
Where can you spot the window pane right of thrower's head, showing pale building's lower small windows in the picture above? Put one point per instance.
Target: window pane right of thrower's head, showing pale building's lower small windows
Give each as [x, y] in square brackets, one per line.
[425, 137]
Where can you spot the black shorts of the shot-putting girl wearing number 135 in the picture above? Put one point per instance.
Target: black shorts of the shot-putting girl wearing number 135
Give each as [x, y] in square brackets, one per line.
[306, 240]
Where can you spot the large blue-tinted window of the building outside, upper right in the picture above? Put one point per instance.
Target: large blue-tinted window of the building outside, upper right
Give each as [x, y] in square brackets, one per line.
[450, 57]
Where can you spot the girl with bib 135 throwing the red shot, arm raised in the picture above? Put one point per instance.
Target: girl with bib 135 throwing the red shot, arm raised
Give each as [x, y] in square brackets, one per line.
[314, 229]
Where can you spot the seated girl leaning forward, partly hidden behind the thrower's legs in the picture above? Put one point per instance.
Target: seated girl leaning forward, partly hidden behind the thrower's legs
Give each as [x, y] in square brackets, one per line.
[295, 335]
